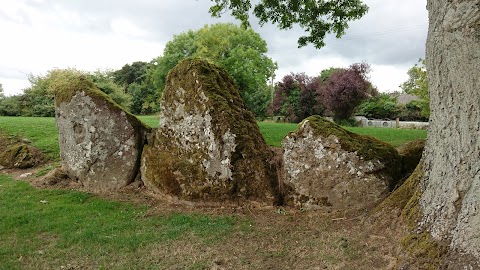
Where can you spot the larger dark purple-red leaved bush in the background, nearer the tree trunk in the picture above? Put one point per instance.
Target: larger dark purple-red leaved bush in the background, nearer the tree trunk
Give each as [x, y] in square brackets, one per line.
[345, 89]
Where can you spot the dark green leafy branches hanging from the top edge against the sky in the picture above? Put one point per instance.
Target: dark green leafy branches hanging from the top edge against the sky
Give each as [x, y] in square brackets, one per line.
[316, 17]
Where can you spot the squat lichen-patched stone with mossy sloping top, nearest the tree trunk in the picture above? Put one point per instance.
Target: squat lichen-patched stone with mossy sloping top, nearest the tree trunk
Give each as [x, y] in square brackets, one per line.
[329, 167]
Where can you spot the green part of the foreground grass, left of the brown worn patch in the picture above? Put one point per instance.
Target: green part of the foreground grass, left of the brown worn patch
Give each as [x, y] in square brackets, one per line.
[46, 229]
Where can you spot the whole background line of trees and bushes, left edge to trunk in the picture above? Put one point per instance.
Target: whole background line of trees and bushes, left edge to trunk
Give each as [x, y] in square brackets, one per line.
[335, 92]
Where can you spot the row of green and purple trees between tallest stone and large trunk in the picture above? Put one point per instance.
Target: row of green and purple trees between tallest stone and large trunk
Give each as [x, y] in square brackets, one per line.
[342, 93]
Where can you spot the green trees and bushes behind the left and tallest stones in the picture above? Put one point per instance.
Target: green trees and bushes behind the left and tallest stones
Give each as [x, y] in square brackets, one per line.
[138, 86]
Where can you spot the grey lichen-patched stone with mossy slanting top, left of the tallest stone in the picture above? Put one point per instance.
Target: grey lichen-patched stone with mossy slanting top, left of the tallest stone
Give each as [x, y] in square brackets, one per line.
[100, 143]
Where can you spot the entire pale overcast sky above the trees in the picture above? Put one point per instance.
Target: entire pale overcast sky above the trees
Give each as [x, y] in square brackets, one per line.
[38, 35]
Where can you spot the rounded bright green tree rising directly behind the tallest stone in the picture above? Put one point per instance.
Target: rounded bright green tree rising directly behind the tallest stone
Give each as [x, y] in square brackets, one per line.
[242, 52]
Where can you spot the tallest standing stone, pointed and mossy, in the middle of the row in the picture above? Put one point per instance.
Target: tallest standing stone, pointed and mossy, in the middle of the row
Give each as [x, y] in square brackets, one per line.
[207, 146]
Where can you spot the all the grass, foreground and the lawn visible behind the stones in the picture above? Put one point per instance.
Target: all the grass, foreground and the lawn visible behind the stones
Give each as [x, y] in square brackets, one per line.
[64, 229]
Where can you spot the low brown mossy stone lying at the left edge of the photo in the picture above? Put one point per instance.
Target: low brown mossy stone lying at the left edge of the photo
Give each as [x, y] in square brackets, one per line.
[21, 156]
